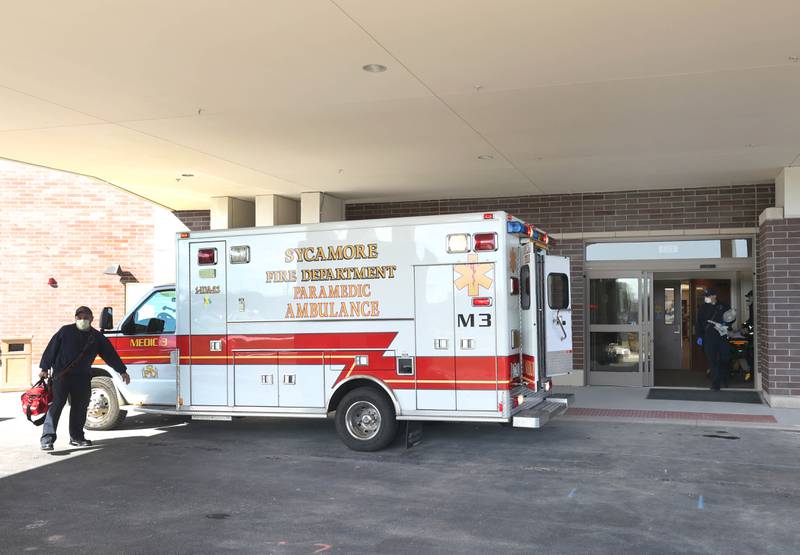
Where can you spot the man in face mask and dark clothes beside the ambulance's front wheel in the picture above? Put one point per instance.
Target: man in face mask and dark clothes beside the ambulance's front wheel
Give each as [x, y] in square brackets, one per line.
[70, 353]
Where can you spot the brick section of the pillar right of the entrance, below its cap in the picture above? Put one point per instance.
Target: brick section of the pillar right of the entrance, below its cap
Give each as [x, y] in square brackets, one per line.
[778, 309]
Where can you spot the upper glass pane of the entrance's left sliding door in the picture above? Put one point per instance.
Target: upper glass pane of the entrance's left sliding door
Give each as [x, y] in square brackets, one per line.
[614, 301]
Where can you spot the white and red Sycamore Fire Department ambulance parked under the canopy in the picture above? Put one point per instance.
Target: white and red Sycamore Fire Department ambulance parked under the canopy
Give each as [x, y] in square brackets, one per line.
[454, 318]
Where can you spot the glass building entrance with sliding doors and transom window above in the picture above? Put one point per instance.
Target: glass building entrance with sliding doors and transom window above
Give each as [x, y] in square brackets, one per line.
[642, 315]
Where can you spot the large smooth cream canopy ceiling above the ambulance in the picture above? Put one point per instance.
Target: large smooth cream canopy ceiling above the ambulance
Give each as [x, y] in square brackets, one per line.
[257, 97]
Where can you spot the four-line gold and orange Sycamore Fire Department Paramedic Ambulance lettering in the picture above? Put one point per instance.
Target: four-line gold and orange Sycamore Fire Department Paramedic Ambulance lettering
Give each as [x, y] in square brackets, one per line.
[332, 301]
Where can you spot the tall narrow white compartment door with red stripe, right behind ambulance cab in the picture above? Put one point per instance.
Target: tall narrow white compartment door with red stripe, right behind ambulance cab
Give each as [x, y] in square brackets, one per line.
[208, 324]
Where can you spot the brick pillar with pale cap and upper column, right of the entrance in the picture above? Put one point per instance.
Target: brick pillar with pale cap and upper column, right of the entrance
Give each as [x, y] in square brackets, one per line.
[778, 293]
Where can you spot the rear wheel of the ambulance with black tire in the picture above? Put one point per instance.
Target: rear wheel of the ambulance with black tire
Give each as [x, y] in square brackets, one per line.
[365, 432]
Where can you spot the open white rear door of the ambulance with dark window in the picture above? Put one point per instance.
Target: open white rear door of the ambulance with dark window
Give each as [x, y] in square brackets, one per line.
[556, 308]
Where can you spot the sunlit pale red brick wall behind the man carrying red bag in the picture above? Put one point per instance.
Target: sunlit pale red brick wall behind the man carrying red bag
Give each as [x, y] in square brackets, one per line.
[71, 228]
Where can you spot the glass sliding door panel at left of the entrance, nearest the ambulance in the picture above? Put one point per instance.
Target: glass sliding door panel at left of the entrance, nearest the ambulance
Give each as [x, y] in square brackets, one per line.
[620, 328]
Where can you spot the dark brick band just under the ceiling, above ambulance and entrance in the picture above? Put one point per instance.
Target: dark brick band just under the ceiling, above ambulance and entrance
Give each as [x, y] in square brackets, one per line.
[708, 207]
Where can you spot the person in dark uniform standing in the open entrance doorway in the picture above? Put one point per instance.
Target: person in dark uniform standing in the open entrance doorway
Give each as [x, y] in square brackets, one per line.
[715, 346]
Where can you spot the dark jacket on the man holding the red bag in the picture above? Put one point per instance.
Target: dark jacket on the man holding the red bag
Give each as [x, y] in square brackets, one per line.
[67, 344]
